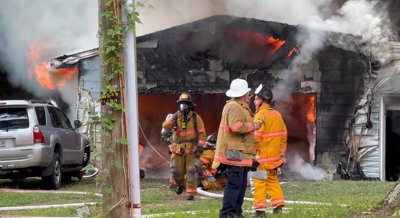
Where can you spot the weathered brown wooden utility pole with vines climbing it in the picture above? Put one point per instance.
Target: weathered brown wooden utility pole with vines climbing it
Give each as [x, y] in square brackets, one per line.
[116, 188]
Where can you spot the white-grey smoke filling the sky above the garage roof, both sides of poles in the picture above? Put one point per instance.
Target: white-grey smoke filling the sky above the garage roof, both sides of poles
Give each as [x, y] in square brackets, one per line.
[73, 24]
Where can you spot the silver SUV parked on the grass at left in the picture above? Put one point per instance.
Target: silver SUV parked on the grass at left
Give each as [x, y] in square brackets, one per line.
[38, 140]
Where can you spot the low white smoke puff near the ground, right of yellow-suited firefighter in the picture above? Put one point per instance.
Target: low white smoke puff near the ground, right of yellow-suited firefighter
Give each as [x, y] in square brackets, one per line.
[306, 170]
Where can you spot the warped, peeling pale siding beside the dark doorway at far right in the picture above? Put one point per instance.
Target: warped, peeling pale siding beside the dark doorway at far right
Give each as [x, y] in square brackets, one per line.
[368, 121]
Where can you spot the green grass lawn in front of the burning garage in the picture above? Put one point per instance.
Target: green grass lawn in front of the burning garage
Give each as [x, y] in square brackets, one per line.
[156, 198]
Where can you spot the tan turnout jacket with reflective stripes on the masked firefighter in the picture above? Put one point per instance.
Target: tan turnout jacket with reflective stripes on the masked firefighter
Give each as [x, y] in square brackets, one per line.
[182, 137]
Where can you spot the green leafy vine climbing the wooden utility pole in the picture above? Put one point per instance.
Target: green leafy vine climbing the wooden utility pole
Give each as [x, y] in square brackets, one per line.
[113, 48]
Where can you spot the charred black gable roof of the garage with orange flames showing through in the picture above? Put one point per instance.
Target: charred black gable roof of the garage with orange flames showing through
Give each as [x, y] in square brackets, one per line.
[244, 42]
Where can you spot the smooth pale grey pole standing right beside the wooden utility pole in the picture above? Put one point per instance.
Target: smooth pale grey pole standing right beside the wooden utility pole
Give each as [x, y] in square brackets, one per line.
[130, 76]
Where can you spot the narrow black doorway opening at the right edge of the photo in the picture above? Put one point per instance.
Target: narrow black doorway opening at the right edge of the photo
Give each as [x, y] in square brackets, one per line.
[392, 145]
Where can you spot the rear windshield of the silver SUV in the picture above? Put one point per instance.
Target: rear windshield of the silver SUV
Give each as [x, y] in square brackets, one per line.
[14, 118]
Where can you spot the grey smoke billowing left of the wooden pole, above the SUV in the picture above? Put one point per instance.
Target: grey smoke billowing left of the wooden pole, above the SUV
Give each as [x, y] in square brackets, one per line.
[50, 28]
